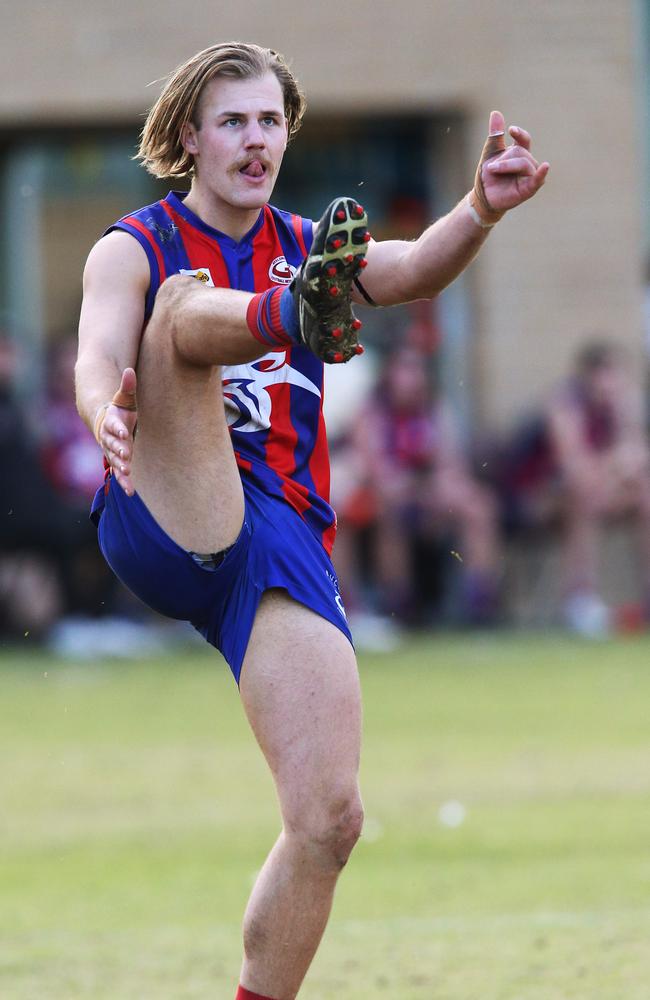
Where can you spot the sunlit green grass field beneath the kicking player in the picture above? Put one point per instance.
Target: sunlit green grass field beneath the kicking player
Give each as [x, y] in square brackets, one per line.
[135, 810]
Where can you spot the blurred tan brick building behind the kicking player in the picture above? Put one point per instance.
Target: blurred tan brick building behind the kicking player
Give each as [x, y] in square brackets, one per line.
[565, 266]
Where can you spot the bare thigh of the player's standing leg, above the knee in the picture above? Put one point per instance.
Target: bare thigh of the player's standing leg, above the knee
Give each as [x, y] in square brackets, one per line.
[300, 690]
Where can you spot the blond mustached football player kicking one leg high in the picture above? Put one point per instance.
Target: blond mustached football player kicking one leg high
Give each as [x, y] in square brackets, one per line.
[217, 511]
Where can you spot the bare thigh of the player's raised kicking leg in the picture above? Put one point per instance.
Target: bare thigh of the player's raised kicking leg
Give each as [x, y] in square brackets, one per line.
[184, 466]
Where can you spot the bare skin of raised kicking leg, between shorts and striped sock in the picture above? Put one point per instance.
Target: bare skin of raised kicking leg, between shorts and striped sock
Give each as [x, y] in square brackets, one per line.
[183, 463]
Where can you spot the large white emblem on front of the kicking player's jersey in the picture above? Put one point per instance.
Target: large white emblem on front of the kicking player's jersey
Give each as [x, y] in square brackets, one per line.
[248, 404]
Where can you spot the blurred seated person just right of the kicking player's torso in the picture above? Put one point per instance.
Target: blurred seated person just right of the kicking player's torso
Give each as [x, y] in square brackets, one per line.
[405, 474]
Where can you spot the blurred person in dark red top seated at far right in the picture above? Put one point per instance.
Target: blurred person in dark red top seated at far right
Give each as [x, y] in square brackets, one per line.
[585, 461]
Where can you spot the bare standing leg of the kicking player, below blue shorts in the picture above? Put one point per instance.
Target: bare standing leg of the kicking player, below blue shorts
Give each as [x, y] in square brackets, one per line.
[300, 690]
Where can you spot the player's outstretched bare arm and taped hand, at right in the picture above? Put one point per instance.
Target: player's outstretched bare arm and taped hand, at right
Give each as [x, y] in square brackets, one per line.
[506, 176]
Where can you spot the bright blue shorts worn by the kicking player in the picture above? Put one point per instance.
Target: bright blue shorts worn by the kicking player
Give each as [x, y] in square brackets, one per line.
[275, 548]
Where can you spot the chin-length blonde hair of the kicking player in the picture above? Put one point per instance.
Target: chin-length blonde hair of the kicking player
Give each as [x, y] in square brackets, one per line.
[161, 151]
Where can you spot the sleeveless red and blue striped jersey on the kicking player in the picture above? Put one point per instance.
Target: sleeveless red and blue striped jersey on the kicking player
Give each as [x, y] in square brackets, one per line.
[274, 405]
